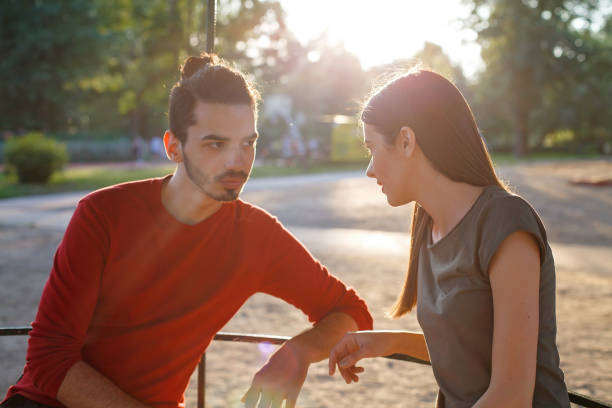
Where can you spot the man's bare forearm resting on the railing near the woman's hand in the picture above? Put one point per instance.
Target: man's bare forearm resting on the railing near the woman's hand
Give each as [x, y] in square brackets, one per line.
[317, 342]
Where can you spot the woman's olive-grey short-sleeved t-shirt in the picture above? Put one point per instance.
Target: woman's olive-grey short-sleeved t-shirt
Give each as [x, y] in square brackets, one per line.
[455, 303]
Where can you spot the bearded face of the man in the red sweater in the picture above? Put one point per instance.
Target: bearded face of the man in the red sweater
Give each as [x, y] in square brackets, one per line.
[219, 150]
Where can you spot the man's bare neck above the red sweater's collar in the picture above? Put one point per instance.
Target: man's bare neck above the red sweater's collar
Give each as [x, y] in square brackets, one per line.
[185, 201]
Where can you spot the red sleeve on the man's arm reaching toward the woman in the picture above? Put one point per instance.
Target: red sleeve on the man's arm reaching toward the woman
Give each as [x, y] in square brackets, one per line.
[295, 276]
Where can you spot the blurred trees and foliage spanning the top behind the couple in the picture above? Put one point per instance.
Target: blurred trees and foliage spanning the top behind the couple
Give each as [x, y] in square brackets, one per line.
[82, 66]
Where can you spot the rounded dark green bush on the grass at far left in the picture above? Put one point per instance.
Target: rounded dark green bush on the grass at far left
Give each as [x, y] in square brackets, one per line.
[34, 157]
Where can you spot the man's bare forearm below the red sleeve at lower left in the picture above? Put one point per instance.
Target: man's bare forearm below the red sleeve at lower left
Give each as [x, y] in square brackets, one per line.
[85, 387]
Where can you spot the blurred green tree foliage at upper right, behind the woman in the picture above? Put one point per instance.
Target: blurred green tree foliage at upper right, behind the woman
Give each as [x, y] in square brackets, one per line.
[548, 68]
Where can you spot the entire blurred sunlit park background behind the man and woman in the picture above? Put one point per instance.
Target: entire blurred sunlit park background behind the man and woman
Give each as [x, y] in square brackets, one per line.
[89, 81]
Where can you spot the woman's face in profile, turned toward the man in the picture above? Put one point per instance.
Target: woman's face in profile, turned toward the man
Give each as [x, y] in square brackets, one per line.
[389, 166]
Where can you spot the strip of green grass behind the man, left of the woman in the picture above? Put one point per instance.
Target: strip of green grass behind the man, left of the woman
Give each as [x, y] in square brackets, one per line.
[87, 178]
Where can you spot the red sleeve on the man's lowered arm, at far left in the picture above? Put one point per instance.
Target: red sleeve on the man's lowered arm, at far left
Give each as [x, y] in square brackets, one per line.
[68, 301]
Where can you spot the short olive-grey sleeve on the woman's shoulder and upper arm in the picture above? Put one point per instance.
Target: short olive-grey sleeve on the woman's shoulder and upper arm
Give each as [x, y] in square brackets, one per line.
[502, 217]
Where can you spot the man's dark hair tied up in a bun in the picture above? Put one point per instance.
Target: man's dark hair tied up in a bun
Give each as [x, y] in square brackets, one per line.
[207, 79]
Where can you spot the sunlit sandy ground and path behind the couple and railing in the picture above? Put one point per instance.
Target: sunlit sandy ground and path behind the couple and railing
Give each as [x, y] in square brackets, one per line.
[579, 223]
